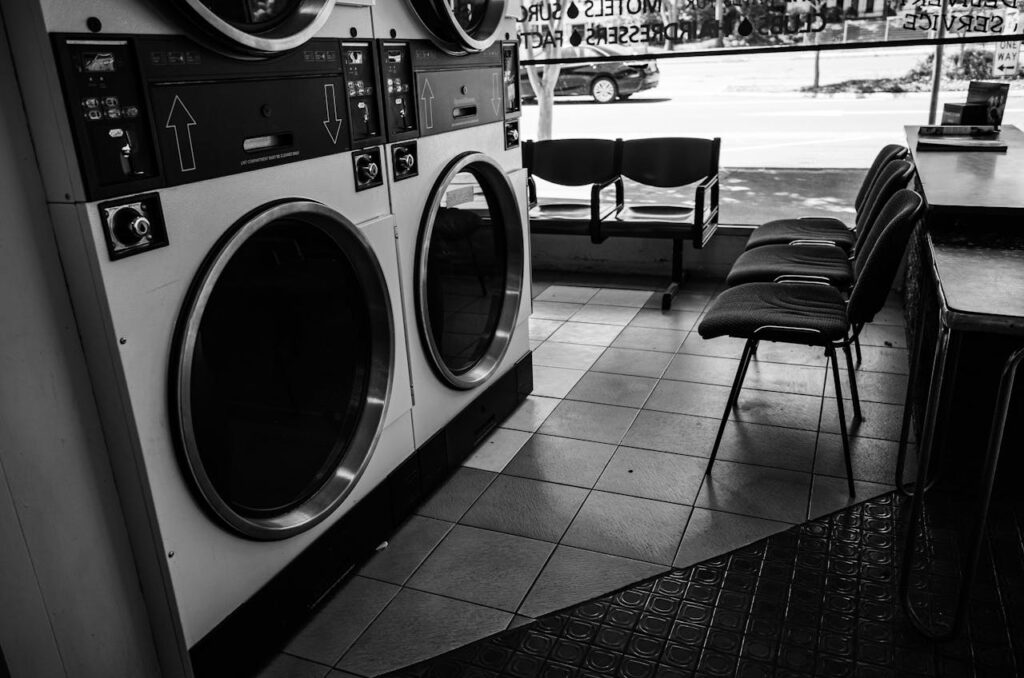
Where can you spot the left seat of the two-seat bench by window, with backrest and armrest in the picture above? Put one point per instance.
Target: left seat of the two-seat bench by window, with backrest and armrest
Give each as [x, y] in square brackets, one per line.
[572, 163]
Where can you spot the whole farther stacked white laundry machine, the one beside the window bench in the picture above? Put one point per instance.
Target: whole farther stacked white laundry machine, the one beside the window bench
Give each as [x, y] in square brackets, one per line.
[459, 194]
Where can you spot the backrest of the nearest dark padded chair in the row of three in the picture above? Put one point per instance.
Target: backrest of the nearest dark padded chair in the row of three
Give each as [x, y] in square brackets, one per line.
[884, 250]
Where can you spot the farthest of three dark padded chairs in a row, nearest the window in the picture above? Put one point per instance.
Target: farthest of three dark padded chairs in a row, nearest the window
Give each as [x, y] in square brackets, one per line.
[828, 230]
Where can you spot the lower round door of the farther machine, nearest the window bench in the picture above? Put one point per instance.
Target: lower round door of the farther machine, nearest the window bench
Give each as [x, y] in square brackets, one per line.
[470, 271]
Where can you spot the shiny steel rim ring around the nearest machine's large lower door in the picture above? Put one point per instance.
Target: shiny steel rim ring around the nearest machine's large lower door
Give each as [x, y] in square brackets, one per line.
[360, 445]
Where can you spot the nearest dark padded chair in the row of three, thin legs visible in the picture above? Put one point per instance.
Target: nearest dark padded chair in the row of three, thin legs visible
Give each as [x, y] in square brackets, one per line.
[817, 314]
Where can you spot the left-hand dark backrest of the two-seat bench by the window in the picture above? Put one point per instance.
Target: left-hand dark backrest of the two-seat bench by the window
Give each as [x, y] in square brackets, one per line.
[573, 162]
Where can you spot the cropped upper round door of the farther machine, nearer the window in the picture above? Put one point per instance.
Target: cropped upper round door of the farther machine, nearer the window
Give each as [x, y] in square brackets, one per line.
[461, 27]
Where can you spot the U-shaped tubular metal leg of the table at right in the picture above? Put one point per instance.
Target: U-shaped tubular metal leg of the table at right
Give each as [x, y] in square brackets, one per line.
[996, 435]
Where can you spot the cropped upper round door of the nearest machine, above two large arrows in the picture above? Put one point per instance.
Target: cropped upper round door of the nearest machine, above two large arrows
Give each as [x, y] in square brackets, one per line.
[254, 29]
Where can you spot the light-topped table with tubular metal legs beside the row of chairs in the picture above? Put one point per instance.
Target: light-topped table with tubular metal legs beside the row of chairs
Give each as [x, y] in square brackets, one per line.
[978, 270]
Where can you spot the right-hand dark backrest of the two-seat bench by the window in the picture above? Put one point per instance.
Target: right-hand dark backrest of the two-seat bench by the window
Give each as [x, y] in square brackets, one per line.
[673, 161]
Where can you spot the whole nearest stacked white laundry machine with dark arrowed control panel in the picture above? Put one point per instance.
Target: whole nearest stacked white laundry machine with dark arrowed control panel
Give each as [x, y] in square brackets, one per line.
[216, 178]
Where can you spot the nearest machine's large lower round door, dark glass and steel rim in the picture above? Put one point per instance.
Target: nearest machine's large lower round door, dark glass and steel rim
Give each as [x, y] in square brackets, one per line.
[282, 369]
